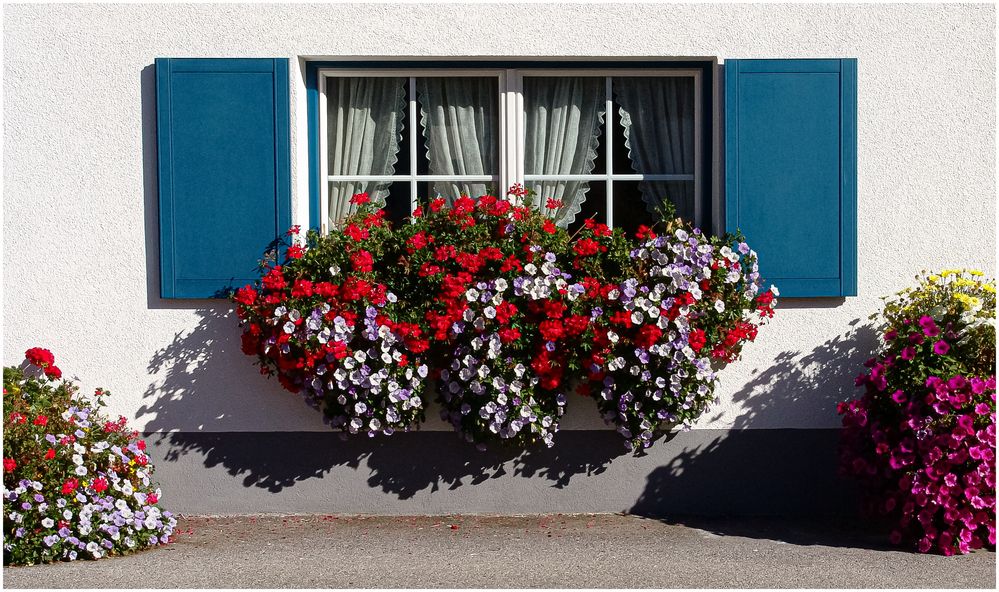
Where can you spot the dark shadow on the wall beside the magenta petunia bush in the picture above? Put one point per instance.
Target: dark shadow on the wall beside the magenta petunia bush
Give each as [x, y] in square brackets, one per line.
[814, 381]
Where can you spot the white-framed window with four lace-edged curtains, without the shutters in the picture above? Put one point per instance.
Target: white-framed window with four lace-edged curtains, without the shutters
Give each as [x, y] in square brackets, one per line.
[612, 144]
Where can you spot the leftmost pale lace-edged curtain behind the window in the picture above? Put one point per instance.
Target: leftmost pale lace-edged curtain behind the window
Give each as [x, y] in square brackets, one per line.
[364, 132]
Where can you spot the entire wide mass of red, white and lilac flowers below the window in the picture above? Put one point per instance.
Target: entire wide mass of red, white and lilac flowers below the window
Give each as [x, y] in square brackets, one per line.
[498, 306]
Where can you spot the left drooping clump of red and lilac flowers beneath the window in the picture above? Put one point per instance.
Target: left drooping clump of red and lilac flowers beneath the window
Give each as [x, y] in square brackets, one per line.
[326, 324]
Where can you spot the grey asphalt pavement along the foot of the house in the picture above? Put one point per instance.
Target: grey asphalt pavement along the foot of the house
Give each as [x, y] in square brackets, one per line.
[549, 551]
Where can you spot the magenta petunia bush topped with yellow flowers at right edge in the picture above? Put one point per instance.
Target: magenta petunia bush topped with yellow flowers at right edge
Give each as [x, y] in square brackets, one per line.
[922, 438]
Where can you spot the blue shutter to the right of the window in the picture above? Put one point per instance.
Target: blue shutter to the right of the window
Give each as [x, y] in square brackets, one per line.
[791, 170]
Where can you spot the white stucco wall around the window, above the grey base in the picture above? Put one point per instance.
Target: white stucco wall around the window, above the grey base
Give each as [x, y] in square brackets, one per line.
[80, 236]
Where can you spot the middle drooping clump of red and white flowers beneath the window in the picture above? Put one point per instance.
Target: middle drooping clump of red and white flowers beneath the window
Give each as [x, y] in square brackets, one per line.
[498, 316]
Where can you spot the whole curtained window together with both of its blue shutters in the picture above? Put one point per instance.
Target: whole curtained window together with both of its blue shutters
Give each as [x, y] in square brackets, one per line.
[790, 148]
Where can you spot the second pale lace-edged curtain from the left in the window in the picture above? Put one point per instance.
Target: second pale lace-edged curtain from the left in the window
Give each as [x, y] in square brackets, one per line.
[459, 120]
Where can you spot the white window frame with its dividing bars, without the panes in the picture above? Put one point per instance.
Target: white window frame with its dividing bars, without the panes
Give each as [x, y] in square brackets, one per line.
[512, 124]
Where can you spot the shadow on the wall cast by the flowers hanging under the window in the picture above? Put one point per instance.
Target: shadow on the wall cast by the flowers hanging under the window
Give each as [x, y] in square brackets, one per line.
[198, 370]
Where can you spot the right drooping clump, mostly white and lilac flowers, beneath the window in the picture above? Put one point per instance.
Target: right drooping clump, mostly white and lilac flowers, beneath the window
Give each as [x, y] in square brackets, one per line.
[689, 299]
